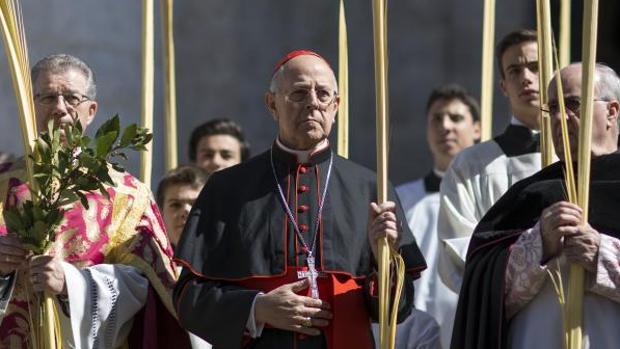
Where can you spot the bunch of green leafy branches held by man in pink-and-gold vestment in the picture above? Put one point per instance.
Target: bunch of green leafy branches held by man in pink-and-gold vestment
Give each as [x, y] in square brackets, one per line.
[68, 165]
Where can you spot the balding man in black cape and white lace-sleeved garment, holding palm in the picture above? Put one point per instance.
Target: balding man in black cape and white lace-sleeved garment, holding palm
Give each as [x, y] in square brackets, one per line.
[507, 299]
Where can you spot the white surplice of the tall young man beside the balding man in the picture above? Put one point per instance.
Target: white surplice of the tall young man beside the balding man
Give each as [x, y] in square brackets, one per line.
[477, 177]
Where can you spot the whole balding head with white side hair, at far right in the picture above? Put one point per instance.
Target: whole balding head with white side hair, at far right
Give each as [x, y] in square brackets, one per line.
[605, 109]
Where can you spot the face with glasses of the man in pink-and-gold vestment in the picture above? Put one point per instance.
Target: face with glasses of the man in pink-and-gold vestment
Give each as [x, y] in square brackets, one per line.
[61, 96]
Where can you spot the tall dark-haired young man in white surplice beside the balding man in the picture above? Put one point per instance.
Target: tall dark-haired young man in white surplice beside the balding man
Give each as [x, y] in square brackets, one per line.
[478, 176]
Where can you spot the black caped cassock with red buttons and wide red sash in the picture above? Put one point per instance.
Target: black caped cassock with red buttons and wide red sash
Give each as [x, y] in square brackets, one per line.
[238, 241]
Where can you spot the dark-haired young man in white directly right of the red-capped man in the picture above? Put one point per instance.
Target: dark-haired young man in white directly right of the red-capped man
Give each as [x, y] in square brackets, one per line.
[452, 124]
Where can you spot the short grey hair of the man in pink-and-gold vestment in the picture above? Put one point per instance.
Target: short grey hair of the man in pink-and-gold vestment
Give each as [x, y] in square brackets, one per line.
[62, 63]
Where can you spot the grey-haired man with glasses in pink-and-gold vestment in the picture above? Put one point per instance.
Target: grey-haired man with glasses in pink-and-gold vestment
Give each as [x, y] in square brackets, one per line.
[111, 263]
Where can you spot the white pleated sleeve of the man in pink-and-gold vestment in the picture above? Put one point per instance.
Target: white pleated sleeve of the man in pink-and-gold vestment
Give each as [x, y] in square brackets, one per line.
[103, 300]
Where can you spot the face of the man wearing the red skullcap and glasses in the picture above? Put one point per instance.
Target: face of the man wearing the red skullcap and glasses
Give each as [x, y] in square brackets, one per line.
[305, 103]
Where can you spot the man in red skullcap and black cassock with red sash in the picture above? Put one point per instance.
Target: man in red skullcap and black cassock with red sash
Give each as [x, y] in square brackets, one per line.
[279, 251]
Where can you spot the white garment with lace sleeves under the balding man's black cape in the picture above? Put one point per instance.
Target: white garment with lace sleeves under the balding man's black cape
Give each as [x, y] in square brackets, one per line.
[532, 304]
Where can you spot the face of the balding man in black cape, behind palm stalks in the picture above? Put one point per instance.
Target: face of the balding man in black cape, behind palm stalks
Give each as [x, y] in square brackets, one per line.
[604, 117]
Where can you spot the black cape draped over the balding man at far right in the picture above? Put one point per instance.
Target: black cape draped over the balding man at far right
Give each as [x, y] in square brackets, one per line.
[480, 321]
